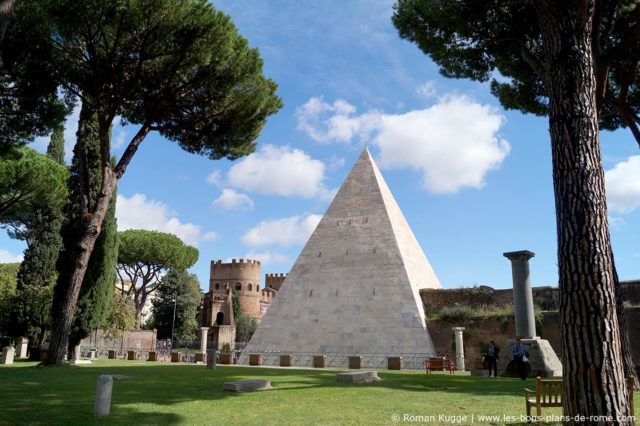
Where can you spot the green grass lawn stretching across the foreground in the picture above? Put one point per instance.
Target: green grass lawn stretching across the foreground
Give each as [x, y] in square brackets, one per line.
[162, 393]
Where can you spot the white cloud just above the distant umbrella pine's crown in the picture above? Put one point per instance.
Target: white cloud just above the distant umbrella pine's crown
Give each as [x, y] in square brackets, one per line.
[138, 212]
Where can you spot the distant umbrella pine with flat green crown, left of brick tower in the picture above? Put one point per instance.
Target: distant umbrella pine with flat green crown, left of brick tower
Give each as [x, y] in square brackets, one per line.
[143, 257]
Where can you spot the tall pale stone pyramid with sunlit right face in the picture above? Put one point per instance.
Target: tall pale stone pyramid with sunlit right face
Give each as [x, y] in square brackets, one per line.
[354, 289]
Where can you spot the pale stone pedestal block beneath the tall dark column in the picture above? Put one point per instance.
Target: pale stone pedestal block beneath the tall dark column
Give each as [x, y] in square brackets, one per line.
[543, 361]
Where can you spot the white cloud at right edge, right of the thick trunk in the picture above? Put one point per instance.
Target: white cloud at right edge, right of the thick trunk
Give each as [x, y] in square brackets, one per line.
[623, 185]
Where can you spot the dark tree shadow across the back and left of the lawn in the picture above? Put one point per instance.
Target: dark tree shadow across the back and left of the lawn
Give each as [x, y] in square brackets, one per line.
[65, 395]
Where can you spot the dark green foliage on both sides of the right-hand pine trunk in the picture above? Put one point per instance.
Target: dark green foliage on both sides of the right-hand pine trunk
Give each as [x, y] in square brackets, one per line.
[474, 38]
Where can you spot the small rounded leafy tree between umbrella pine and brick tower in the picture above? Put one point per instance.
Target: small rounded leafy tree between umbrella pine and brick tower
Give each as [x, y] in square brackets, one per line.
[186, 287]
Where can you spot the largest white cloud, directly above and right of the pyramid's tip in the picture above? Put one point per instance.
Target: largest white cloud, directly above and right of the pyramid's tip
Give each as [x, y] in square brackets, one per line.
[454, 143]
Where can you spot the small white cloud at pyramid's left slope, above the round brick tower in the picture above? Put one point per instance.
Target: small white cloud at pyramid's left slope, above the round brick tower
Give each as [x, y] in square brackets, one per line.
[283, 232]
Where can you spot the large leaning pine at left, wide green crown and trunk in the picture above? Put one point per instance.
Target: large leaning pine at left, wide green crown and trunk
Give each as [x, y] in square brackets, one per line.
[176, 67]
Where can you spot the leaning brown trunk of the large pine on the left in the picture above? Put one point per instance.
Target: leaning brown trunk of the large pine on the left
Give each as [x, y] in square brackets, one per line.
[68, 288]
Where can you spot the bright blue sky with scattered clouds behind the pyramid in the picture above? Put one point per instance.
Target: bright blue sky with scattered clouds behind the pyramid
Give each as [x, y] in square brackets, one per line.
[472, 179]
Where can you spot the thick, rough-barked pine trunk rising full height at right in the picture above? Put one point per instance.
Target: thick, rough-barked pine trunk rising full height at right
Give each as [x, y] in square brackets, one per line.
[594, 383]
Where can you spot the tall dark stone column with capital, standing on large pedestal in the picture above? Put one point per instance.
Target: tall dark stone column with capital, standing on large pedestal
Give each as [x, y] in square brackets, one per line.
[522, 296]
